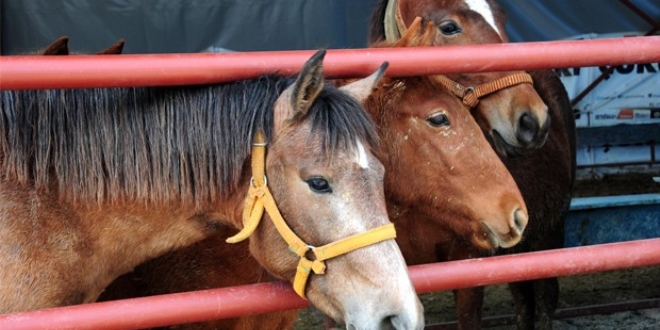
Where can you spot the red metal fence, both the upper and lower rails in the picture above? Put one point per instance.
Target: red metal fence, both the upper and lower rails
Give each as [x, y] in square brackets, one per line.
[31, 72]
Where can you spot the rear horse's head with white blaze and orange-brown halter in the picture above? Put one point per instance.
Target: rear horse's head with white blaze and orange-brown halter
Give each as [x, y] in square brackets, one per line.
[515, 117]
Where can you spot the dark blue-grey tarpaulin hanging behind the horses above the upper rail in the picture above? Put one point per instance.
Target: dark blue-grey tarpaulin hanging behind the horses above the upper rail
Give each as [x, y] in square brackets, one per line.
[175, 26]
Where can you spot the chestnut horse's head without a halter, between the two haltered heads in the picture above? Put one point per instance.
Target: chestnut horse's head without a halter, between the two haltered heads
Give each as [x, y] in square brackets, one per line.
[441, 169]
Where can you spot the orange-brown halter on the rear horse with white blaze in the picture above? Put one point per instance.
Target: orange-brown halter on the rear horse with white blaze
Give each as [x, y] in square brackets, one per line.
[395, 28]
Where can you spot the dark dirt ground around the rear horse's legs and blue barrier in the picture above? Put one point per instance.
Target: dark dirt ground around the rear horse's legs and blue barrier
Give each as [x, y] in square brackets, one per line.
[576, 291]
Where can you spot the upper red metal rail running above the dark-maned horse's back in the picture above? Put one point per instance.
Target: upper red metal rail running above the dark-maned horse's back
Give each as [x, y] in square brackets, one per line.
[78, 71]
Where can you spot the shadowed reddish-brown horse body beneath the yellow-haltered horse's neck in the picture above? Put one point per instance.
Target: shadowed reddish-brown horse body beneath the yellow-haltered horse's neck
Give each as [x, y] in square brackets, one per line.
[197, 267]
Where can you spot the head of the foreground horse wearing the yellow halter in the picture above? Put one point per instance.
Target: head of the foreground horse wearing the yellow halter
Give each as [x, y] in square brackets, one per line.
[328, 186]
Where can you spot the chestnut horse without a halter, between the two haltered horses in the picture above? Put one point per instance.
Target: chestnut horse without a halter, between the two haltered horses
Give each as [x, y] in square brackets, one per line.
[436, 162]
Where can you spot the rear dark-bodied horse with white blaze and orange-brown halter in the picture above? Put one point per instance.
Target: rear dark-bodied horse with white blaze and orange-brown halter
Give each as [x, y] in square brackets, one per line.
[544, 174]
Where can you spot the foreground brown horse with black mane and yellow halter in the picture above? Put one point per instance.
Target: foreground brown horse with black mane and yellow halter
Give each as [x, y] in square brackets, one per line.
[97, 181]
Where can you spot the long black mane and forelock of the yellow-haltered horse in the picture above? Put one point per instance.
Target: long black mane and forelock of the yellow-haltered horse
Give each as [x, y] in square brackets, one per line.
[153, 144]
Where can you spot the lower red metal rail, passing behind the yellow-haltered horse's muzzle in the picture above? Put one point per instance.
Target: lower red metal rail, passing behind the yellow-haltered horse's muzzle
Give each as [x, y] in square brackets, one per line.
[269, 297]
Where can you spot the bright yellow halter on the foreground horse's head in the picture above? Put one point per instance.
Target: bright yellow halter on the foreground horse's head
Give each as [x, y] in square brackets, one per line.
[259, 199]
